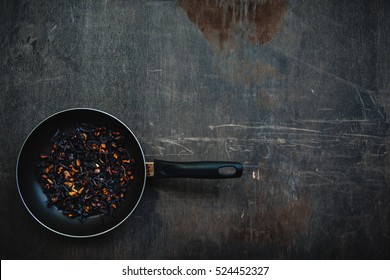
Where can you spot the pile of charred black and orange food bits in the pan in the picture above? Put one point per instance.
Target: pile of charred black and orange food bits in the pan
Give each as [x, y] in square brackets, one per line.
[87, 172]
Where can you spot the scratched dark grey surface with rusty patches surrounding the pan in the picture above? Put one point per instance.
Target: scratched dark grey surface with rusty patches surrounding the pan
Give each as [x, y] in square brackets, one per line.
[298, 91]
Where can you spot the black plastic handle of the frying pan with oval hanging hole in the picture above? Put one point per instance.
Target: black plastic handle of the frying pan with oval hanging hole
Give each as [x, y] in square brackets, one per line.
[198, 169]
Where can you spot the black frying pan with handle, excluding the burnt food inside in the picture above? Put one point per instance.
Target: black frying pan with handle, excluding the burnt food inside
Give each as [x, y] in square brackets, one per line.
[38, 142]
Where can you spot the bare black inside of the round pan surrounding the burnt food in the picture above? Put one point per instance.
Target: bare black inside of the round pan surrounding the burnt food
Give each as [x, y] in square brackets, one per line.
[38, 142]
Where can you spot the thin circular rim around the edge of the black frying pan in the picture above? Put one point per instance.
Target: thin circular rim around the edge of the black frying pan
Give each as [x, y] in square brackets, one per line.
[20, 153]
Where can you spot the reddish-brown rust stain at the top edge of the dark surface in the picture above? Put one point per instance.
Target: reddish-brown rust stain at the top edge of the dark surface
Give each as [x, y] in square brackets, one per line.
[224, 23]
